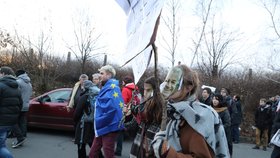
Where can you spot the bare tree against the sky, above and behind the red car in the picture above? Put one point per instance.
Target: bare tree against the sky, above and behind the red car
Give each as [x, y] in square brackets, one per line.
[86, 42]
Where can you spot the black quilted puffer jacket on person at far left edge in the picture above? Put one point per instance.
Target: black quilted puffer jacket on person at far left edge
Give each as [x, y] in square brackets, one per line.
[10, 101]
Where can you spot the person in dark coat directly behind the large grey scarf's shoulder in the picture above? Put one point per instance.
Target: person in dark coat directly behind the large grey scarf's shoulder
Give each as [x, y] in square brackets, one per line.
[220, 107]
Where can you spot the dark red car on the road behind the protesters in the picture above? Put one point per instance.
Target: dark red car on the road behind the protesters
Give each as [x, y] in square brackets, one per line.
[49, 110]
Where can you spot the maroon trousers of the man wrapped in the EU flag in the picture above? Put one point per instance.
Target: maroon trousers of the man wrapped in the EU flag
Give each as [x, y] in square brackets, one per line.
[107, 142]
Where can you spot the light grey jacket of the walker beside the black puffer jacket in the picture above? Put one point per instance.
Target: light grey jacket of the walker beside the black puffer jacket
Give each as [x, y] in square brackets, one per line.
[26, 90]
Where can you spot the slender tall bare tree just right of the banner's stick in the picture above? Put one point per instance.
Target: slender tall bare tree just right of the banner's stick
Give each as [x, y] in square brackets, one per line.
[171, 22]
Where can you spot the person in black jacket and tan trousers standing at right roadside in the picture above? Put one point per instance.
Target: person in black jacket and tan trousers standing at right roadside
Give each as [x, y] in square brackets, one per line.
[262, 119]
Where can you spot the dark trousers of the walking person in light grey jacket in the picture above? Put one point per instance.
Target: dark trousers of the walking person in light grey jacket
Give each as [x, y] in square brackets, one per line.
[20, 129]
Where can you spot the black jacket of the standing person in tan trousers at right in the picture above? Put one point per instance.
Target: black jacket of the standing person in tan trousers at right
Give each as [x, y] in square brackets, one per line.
[263, 117]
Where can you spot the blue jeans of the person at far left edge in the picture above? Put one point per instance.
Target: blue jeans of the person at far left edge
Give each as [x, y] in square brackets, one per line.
[4, 152]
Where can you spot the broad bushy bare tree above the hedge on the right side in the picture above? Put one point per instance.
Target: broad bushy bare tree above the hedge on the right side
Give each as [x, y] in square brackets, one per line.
[215, 52]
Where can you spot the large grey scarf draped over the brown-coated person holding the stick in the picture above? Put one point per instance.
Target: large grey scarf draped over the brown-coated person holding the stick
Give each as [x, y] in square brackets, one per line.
[203, 119]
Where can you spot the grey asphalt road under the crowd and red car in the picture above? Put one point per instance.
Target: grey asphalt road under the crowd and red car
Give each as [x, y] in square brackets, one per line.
[57, 144]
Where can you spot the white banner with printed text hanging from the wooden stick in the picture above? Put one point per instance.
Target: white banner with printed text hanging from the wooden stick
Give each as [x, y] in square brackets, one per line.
[142, 16]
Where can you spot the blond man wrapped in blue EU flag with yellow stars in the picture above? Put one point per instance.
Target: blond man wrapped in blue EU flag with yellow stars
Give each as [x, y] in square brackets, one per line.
[108, 114]
